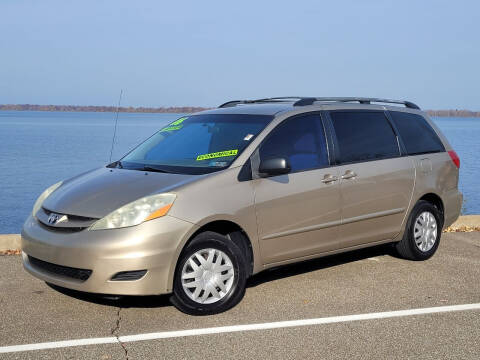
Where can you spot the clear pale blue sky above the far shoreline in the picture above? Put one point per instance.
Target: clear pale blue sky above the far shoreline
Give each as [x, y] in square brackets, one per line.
[203, 53]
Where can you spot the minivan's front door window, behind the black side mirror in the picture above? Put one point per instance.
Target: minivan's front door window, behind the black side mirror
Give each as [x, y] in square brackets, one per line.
[300, 140]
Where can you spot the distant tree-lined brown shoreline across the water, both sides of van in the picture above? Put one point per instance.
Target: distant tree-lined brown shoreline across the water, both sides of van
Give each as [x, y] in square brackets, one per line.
[177, 109]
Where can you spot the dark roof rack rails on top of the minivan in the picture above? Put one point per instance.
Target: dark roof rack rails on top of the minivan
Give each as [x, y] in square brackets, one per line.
[304, 101]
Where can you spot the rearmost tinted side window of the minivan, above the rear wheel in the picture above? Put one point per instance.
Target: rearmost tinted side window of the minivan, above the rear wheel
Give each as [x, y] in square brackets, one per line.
[417, 135]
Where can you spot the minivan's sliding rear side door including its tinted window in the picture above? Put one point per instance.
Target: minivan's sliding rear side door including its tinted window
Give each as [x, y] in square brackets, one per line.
[376, 180]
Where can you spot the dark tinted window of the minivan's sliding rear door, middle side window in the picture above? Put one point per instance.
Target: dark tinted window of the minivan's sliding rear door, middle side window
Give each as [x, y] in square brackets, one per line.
[363, 136]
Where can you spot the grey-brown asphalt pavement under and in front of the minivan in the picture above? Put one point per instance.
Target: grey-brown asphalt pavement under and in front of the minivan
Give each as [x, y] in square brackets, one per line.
[366, 281]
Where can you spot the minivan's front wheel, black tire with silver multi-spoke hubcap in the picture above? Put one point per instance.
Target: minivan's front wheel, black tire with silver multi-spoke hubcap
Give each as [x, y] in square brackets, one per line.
[223, 263]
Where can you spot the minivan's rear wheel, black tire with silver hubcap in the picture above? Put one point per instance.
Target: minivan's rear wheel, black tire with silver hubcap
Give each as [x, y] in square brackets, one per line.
[418, 223]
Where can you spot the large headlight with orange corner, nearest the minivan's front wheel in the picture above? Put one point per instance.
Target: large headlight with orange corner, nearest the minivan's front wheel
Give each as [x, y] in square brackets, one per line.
[147, 208]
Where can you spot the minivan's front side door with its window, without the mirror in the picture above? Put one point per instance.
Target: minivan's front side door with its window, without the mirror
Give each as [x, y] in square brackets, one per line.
[298, 213]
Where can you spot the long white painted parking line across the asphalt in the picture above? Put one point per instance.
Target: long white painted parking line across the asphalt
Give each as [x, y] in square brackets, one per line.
[237, 328]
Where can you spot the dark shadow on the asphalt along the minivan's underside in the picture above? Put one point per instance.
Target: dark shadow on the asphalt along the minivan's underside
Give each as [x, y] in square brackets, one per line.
[277, 273]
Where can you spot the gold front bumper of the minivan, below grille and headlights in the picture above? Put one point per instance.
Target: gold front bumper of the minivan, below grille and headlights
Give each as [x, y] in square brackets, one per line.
[153, 246]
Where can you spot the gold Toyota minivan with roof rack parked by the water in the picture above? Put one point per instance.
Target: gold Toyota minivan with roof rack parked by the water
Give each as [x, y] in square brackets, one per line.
[223, 194]
